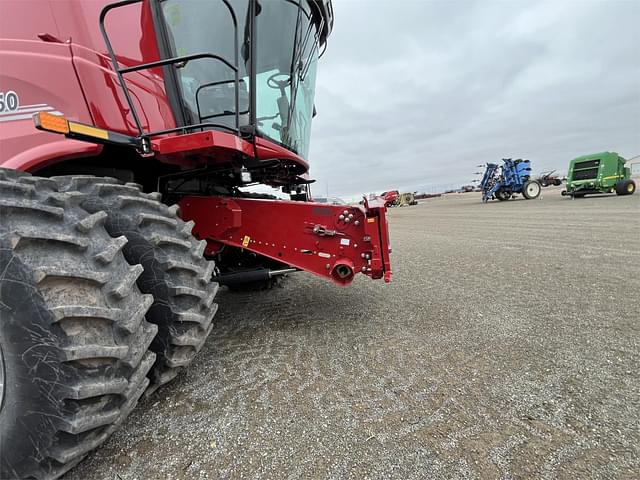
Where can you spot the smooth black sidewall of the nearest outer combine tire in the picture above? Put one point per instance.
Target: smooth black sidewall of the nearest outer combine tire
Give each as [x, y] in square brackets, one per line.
[30, 368]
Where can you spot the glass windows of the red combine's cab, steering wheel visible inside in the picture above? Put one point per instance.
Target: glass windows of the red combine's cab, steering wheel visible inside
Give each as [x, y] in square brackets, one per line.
[286, 52]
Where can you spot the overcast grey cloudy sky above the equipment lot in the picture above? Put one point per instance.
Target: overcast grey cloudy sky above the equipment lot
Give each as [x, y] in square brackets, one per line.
[415, 94]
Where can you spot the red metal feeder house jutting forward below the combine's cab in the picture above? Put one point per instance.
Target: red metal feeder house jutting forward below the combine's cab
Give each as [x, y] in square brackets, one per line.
[332, 241]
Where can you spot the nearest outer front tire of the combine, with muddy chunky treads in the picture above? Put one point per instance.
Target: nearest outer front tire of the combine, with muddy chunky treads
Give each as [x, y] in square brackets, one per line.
[73, 337]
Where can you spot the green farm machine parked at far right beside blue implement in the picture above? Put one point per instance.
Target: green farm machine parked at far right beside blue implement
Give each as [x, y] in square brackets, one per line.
[599, 173]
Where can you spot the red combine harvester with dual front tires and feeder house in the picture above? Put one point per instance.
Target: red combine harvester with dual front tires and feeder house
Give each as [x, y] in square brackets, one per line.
[128, 131]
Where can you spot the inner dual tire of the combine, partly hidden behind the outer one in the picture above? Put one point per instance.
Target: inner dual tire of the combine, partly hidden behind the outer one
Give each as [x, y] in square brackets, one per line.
[175, 271]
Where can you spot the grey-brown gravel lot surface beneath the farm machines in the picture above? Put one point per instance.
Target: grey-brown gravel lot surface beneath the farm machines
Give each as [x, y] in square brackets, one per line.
[507, 346]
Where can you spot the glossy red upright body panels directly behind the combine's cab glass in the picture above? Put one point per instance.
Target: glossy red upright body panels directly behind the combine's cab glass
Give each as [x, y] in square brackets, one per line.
[134, 41]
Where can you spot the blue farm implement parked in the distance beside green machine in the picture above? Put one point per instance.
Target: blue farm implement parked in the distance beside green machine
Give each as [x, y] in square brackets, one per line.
[503, 181]
